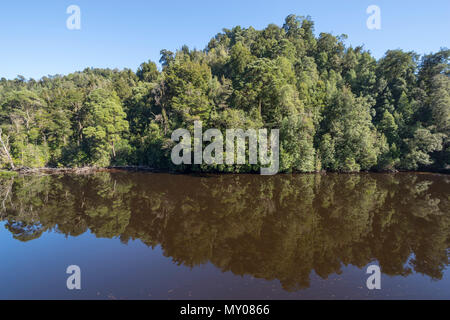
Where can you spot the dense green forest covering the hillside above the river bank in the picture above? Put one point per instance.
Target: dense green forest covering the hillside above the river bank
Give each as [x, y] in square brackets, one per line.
[336, 106]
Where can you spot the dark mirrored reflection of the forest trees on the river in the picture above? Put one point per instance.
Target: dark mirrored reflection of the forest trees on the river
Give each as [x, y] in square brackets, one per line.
[281, 227]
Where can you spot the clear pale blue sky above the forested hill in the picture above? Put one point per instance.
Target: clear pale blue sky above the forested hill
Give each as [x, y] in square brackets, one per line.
[122, 34]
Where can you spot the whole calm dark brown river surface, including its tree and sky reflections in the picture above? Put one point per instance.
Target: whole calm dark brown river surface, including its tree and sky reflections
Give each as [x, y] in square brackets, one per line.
[162, 236]
